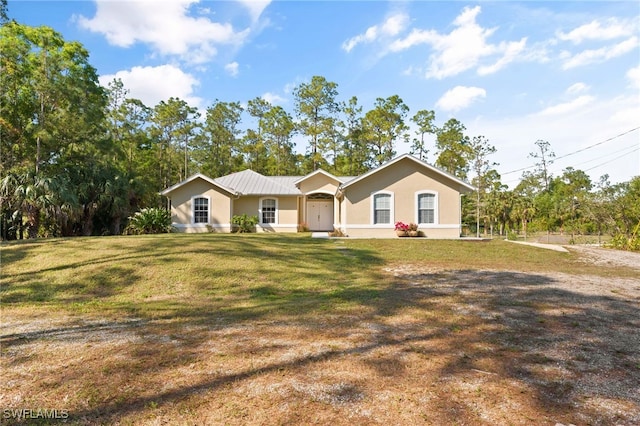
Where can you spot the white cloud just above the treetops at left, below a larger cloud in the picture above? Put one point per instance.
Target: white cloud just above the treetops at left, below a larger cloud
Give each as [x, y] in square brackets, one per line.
[154, 84]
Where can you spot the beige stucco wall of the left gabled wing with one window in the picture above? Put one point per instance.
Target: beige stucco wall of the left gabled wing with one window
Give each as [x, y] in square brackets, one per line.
[219, 207]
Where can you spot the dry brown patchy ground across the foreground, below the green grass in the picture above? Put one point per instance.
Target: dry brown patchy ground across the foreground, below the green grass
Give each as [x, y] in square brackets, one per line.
[430, 346]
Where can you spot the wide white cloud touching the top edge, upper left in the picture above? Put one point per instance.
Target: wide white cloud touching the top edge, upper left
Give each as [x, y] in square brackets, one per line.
[164, 25]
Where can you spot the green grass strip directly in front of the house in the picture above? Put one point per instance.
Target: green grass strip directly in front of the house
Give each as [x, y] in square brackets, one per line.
[179, 274]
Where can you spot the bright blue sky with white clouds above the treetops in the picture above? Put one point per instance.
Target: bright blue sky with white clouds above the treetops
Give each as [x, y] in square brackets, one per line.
[514, 72]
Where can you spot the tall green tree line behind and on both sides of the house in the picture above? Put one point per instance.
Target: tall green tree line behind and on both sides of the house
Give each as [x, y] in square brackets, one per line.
[79, 159]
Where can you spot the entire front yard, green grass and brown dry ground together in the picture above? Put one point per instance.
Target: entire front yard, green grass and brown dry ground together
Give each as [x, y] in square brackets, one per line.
[285, 329]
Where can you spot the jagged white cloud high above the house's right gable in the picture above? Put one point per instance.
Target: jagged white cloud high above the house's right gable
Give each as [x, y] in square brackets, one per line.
[463, 48]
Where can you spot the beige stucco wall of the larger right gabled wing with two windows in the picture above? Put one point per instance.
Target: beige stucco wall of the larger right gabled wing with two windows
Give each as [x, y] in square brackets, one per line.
[403, 179]
